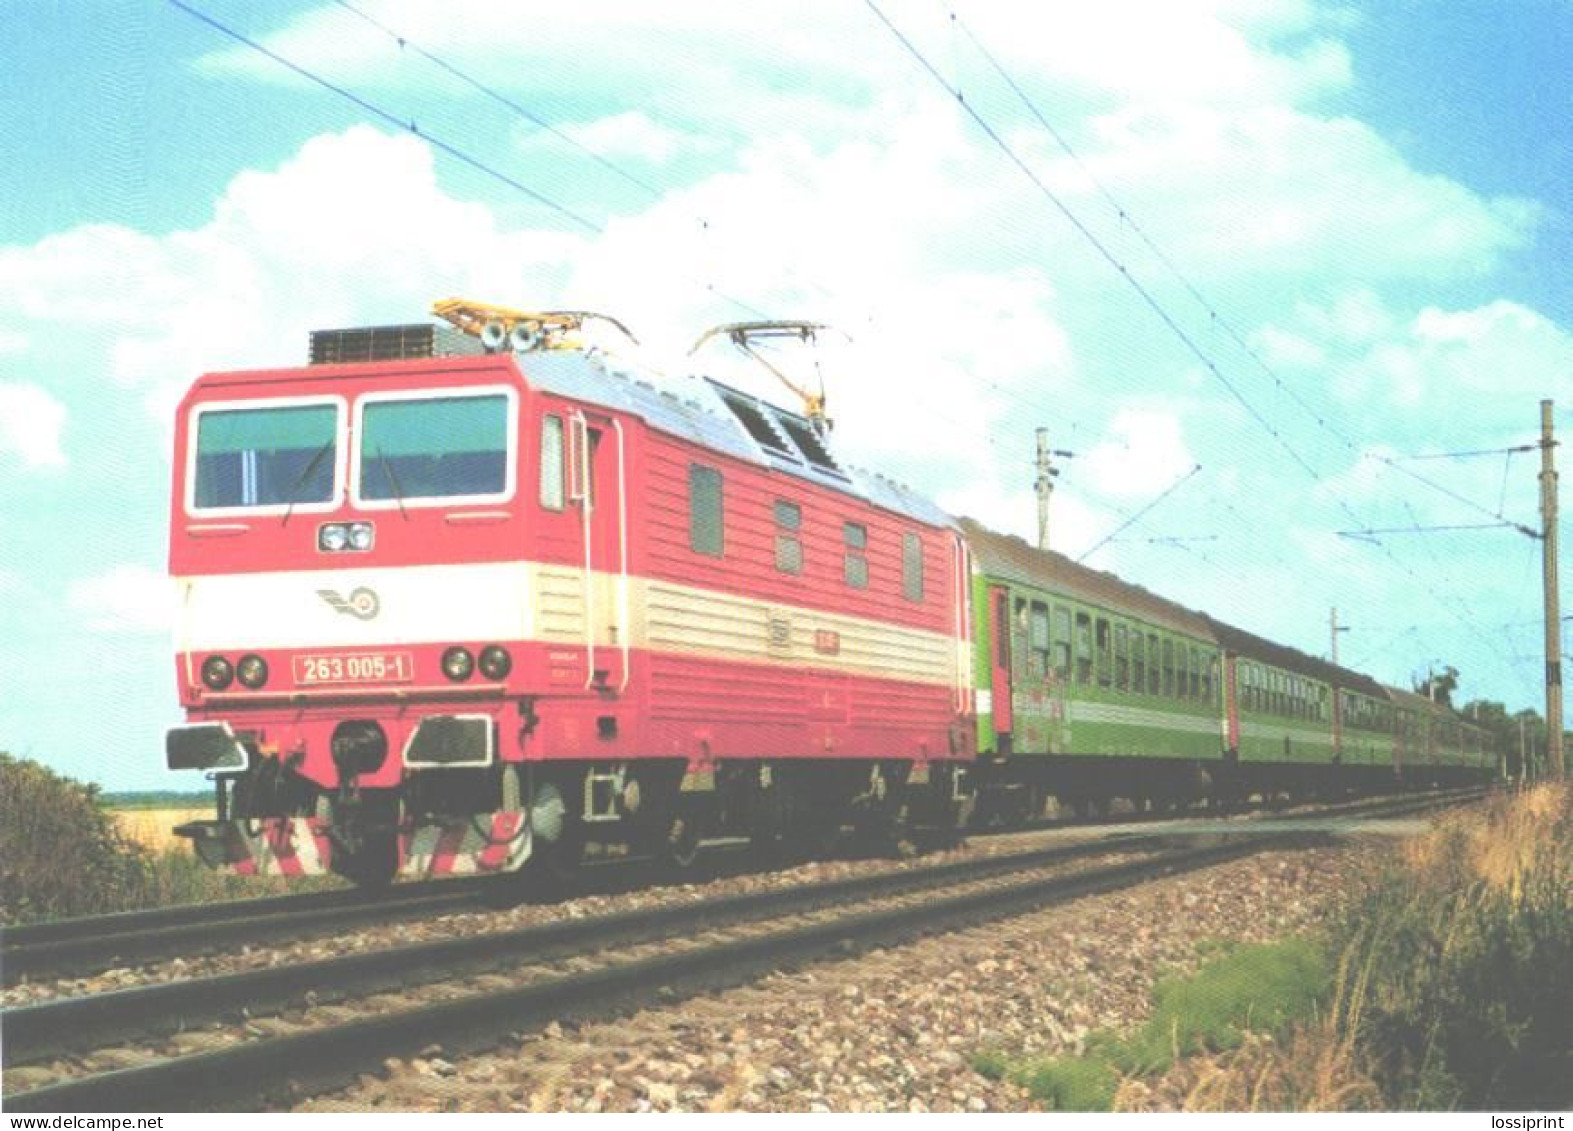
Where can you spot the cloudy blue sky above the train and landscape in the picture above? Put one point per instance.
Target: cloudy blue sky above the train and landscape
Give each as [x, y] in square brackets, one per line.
[1371, 201]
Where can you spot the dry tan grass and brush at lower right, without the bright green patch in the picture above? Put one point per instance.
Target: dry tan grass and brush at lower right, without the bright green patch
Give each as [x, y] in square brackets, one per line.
[1462, 957]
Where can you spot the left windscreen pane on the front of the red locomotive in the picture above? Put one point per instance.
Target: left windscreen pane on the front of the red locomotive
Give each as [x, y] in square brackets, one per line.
[265, 457]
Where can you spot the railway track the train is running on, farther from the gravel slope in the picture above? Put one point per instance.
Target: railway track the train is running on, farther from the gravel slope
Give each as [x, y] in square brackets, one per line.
[92, 945]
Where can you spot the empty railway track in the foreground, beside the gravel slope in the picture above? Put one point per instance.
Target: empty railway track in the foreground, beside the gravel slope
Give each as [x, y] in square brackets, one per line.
[696, 946]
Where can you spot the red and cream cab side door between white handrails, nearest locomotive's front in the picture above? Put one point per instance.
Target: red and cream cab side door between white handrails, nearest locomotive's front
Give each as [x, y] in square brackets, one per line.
[599, 476]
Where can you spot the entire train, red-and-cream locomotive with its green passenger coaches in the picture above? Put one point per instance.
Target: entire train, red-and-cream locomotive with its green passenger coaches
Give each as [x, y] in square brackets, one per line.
[455, 603]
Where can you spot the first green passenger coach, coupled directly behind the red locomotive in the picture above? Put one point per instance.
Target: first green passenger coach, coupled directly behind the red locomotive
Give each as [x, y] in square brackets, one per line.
[1089, 688]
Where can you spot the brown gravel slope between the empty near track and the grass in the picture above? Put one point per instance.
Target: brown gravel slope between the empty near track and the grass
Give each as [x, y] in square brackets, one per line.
[893, 1030]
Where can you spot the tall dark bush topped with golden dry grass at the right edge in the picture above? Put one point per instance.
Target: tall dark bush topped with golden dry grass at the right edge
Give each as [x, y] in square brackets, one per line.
[1470, 963]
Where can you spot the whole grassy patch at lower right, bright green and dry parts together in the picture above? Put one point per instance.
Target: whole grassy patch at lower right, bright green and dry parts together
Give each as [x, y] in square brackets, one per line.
[1451, 987]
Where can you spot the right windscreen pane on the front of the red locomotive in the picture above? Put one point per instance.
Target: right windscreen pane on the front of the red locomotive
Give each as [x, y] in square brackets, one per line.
[435, 448]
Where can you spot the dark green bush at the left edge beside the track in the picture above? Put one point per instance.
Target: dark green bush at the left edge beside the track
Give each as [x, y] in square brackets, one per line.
[61, 852]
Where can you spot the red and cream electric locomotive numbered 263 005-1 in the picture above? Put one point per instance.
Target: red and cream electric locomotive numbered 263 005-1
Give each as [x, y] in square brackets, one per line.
[446, 614]
